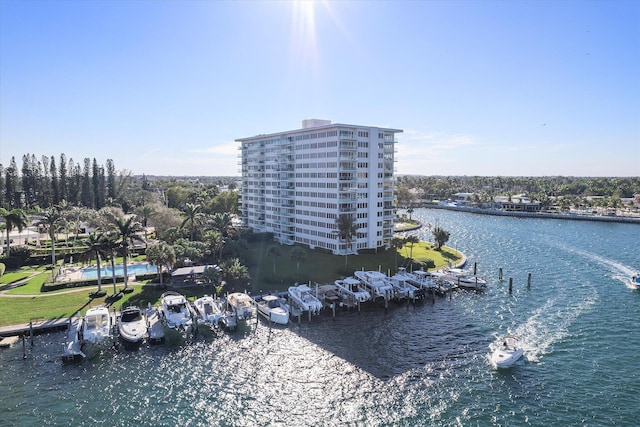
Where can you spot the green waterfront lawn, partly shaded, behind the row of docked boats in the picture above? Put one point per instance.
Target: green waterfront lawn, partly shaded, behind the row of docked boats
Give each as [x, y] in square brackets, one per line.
[318, 267]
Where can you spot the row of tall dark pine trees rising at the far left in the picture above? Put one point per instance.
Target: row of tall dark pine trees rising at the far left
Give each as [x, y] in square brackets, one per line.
[43, 182]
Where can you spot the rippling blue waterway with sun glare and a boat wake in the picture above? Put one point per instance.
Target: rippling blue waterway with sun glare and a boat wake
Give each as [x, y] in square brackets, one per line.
[414, 365]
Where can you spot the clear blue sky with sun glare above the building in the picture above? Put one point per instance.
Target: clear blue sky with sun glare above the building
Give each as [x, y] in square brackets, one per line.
[510, 88]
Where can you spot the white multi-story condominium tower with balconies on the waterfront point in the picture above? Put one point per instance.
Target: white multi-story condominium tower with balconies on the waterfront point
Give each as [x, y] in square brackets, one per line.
[296, 184]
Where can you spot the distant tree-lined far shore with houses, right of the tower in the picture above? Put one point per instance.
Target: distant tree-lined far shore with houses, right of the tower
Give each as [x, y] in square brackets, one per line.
[408, 187]
